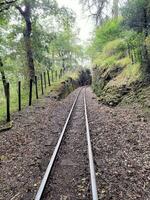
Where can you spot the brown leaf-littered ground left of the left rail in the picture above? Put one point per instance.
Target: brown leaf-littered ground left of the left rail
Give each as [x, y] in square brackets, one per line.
[25, 150]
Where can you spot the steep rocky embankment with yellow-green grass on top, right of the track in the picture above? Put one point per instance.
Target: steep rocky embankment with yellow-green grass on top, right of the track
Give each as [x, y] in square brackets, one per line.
[116, 79]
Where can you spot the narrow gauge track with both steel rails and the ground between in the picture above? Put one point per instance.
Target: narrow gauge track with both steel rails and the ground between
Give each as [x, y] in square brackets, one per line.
[67, 175]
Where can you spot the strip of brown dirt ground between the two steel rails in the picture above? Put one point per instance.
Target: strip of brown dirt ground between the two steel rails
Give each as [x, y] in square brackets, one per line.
[70, 178]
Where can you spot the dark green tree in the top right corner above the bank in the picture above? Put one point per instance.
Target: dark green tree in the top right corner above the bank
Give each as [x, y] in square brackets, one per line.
[136, 15]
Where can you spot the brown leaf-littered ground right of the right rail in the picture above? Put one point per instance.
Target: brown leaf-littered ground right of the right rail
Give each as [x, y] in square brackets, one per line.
[121, 144]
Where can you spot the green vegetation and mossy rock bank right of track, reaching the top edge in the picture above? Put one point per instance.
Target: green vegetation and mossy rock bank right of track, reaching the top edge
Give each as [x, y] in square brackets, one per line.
[120, 52]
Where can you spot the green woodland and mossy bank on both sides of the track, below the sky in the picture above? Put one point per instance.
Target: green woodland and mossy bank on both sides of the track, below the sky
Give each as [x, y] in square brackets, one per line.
[39, 36]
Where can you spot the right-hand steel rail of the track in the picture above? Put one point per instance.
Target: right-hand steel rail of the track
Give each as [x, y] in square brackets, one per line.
[90, 154]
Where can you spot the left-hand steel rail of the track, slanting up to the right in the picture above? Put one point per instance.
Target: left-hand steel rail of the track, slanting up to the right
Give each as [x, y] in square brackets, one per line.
[53, 158]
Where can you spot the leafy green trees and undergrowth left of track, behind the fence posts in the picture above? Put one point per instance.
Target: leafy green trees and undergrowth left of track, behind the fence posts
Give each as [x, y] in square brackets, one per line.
[35, 36]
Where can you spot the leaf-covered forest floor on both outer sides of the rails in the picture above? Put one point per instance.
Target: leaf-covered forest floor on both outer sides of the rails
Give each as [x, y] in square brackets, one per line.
[121, 145]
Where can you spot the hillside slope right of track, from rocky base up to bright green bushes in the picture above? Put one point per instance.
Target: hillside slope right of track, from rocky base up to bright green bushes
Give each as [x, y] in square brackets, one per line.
[119, 75]
